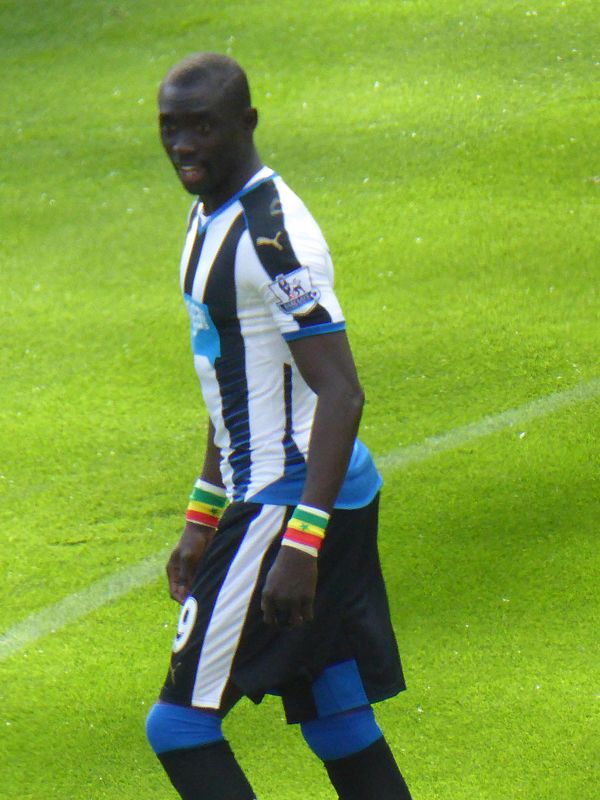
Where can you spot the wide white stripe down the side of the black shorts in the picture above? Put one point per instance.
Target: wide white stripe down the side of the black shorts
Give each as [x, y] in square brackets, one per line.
[229, 614]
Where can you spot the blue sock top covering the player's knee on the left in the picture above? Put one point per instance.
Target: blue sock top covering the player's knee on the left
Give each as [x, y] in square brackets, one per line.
[171, 727]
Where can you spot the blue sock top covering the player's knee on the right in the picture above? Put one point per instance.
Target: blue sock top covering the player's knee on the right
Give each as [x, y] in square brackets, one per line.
[342, 734]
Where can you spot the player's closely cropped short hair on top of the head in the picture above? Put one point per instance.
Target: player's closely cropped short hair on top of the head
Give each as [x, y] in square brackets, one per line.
[222, 72]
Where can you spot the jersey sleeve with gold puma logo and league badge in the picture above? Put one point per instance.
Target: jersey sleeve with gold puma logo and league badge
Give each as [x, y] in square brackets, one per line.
[290, 265]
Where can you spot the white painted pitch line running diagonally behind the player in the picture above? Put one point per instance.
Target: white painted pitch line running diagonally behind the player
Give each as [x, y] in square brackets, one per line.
[112, 587]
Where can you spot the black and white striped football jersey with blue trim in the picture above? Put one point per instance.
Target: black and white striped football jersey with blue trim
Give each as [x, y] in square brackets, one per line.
[256, 274]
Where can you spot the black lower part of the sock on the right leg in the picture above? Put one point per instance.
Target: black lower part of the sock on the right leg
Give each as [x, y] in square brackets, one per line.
[371, 774]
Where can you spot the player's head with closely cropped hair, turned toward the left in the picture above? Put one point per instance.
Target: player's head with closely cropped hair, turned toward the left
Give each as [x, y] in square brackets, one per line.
[207, 123]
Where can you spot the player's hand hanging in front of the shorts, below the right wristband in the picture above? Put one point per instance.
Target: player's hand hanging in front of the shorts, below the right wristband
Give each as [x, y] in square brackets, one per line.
[289, 592]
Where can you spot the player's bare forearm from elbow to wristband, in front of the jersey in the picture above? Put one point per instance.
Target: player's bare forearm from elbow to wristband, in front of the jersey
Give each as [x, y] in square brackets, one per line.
[335, 426]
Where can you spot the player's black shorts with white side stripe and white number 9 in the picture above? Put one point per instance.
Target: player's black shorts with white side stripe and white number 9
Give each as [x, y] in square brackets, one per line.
[224, 650]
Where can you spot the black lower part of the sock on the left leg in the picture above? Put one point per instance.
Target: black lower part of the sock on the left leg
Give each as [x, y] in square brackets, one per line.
[206, 773]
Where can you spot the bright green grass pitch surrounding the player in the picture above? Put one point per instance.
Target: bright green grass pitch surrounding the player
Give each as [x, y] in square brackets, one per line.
[450, 153]
